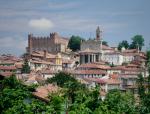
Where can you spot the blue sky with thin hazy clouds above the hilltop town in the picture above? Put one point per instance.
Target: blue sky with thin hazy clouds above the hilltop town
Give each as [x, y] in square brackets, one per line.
[118, 19]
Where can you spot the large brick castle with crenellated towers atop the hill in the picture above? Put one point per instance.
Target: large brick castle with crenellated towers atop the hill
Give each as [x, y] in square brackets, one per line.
[52, 44]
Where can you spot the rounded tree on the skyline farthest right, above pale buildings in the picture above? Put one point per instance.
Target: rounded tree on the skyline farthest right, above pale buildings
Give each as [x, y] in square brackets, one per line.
[137, 42]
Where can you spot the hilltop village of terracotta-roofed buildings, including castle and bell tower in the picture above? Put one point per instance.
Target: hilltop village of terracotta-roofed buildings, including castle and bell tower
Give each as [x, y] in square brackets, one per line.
[94, 64]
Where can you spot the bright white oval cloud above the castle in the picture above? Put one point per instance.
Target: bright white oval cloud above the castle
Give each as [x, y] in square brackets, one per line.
[42, 24]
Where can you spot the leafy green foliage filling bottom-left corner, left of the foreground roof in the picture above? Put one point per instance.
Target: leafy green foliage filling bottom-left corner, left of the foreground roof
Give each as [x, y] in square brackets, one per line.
[15, 98]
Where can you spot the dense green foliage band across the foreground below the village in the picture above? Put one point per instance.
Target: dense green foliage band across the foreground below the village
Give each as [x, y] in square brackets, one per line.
[75, 98]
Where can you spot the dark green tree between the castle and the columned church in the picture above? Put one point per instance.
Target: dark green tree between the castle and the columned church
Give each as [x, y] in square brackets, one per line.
[74, 43]
